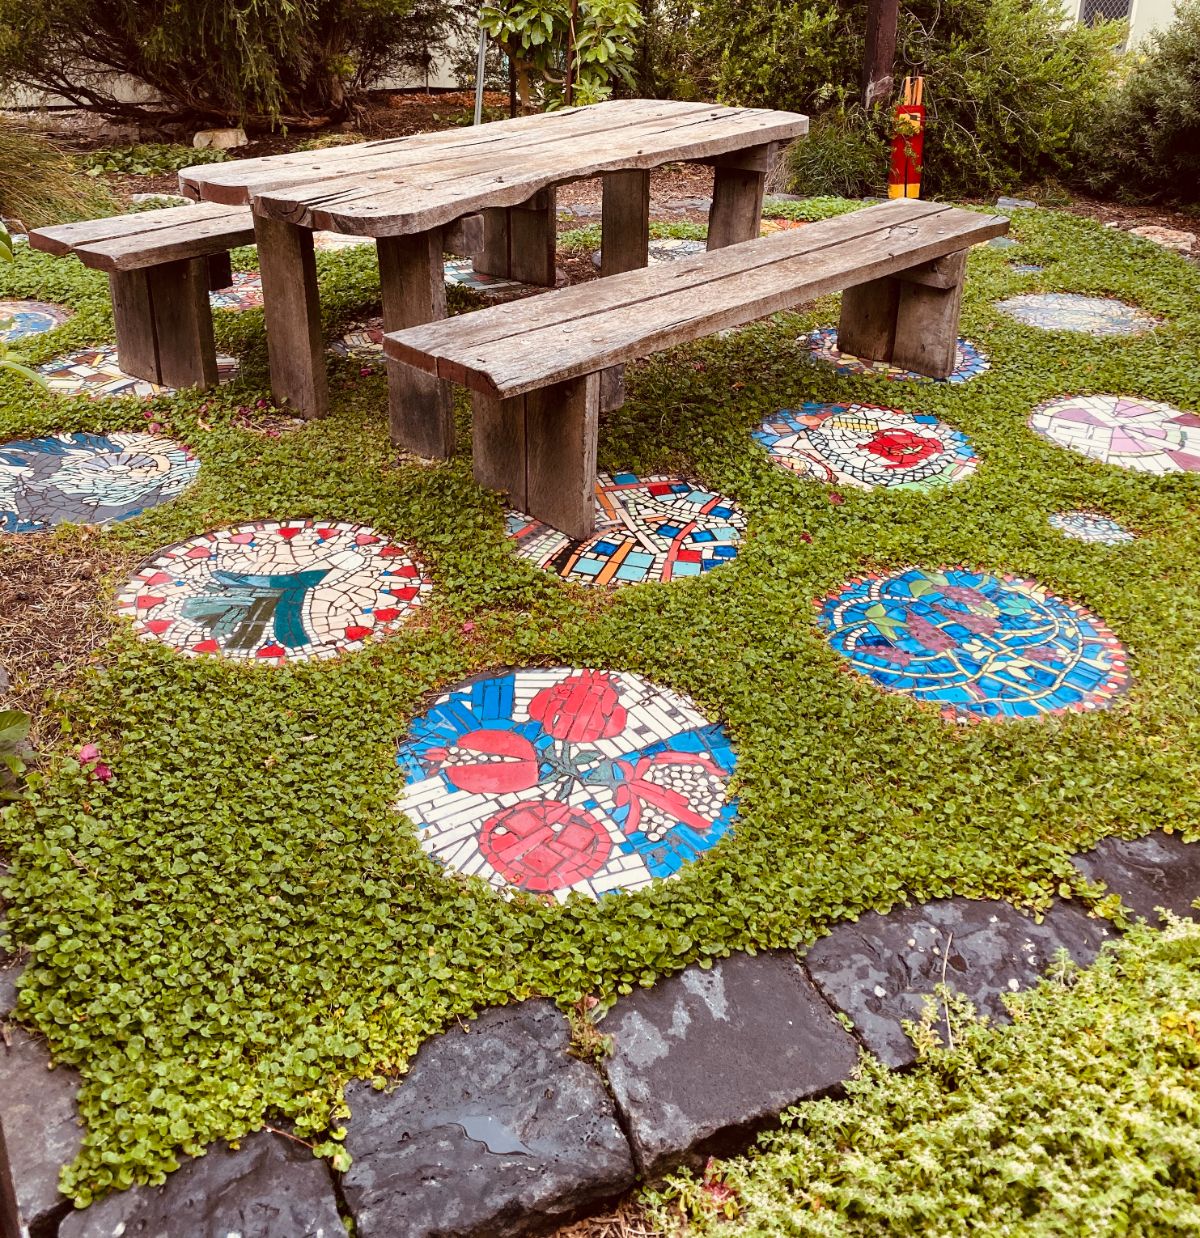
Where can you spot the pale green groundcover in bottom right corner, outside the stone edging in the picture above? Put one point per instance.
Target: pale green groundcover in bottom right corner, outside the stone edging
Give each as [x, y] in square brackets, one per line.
[1080, 1119]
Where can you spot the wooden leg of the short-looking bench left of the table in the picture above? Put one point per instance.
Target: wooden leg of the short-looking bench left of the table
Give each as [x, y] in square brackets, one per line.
[164, 324]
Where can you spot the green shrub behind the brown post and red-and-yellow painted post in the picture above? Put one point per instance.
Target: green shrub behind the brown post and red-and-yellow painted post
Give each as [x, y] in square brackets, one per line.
[1009, 91]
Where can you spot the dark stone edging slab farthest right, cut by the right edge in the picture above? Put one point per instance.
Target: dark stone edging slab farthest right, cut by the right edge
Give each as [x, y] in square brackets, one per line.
[1159, 871]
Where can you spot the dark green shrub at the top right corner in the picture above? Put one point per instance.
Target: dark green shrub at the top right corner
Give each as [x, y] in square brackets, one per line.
[1146, 144]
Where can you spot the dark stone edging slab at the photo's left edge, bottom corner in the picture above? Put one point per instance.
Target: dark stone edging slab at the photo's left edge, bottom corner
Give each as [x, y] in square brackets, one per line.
[39, 1132]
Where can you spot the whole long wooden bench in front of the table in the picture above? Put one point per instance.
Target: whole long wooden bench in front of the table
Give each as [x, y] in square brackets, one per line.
[542, 371]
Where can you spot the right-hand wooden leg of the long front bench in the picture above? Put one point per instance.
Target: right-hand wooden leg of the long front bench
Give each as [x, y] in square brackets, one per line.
[910, 320]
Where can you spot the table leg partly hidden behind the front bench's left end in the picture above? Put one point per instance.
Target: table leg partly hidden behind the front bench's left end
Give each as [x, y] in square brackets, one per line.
[414, 293]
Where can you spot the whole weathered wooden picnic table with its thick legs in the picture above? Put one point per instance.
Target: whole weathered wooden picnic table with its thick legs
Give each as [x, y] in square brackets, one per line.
[407, 193]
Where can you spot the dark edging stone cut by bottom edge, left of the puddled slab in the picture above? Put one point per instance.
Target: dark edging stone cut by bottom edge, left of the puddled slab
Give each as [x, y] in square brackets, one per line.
[271, 1188]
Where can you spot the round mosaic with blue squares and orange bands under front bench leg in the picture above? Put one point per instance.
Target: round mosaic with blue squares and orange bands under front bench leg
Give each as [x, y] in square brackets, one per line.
[647, 529]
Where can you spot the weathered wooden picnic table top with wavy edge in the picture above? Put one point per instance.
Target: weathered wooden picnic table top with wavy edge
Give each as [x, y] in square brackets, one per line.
[412, 185]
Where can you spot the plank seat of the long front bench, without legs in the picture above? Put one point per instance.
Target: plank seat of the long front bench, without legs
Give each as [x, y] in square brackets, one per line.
[511, 350]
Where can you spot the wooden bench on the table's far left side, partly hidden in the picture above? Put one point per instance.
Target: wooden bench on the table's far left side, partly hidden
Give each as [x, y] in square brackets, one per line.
[162, 267]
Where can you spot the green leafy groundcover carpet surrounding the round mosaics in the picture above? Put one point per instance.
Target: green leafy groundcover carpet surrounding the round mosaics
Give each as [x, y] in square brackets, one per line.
[238, 920]
